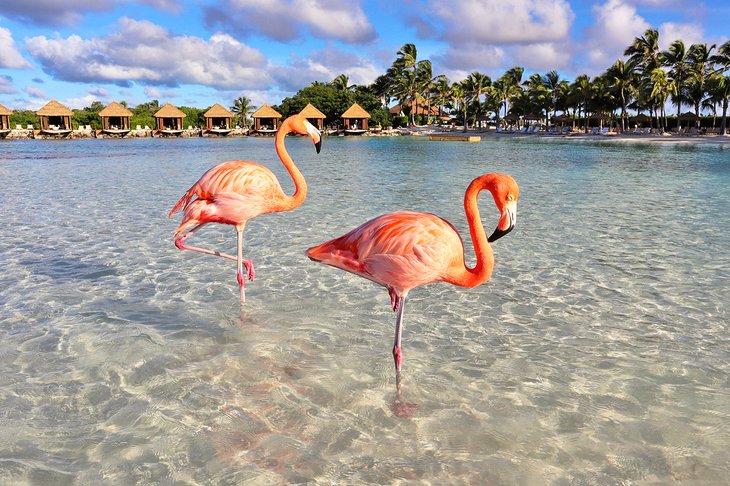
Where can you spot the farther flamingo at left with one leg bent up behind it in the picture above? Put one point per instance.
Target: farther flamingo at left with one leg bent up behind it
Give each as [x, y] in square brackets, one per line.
[236, 191]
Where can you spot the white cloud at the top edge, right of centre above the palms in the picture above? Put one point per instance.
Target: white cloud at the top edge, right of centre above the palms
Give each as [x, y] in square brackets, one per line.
[502, 22]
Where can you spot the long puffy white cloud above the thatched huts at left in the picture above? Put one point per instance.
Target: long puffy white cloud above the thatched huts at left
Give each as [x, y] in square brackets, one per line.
[143, 52]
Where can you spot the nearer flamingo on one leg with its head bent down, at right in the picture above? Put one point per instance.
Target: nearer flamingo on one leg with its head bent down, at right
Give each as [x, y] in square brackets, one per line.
[405, 249]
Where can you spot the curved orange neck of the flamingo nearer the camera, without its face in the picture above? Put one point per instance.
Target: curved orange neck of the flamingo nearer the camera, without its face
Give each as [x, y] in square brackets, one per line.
[482, 270]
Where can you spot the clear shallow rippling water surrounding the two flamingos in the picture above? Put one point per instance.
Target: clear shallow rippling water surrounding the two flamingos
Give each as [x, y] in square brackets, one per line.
[598, 353]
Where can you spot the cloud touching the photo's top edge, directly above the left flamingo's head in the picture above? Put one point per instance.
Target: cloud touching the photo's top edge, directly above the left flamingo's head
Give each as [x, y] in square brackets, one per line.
[288, 20]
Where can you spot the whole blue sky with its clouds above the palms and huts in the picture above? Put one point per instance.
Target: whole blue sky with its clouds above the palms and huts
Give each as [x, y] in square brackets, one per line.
[200, 52]
